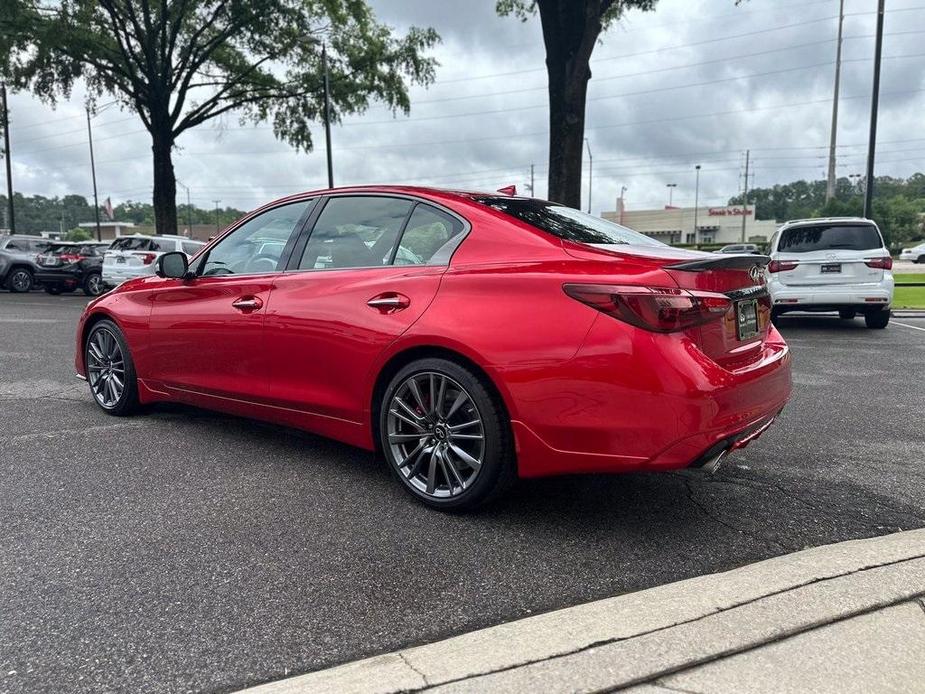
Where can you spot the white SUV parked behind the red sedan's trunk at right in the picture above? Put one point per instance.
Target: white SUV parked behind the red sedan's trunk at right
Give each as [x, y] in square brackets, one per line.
[834, 264]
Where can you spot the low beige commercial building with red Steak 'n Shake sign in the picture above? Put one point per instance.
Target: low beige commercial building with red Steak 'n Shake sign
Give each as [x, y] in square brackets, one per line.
[713, 224]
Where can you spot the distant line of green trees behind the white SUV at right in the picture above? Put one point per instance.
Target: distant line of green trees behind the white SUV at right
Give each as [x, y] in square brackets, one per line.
[898, 207]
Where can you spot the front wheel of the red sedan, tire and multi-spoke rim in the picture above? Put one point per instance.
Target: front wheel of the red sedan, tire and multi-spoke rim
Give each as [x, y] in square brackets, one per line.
[110, 370]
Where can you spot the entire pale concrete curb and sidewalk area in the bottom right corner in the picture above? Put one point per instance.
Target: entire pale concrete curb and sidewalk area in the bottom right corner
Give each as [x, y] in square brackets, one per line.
[848, 617]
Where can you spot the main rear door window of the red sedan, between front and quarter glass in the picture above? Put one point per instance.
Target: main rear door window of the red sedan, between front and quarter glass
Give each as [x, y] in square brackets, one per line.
[355, 231]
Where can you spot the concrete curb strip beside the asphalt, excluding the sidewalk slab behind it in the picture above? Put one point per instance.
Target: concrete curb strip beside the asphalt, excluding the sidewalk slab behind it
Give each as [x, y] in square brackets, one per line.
[636, 638]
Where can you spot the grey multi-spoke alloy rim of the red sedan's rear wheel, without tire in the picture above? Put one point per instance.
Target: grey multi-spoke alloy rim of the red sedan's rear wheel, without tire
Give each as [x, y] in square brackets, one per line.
[436, 435]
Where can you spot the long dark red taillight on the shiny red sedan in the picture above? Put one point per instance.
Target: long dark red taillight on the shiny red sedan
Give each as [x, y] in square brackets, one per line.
[660, 309]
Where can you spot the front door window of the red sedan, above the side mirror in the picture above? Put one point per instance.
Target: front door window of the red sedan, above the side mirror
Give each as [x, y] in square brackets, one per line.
[256, 246]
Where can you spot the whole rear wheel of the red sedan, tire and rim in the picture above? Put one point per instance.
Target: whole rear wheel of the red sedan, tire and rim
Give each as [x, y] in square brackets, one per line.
[445, 435]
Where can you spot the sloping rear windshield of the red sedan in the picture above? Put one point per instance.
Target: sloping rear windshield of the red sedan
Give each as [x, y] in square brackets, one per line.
[566, 222]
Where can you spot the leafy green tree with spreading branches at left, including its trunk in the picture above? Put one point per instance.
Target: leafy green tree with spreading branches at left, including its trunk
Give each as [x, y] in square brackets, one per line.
[180, 63]
